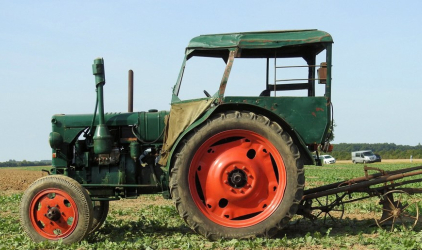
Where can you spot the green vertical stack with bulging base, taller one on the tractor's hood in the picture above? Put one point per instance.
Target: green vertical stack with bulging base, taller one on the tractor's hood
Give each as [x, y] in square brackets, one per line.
[102, 137]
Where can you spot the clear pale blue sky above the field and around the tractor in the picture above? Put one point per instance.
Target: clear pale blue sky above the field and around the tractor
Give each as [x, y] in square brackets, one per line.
[47, 48]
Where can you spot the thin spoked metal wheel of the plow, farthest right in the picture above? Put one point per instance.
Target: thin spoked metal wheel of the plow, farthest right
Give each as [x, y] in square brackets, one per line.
[399, 211]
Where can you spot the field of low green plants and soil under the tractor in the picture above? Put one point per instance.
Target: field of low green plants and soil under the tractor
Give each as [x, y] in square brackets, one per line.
[151, 222]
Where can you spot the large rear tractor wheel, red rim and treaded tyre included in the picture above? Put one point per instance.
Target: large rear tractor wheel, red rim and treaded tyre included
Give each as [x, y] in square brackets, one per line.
[238, 176]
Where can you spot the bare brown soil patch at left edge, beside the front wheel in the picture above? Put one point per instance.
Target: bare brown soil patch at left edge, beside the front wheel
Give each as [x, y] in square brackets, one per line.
[16, 180]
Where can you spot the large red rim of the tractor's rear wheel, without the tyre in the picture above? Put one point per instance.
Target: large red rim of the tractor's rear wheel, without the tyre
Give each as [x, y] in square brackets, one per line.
[237, 178]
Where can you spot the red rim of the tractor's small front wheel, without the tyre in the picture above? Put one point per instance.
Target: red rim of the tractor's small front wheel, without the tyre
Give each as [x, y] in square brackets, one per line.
[53, 214]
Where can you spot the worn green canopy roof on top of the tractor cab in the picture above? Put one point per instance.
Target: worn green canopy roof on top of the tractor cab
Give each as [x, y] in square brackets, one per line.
[262, 39]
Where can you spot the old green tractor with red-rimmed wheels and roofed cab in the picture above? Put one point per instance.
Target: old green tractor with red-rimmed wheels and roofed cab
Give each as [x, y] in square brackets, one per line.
[233, 165]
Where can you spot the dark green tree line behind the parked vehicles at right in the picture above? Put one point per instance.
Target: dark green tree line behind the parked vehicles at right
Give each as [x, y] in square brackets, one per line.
[342, 151]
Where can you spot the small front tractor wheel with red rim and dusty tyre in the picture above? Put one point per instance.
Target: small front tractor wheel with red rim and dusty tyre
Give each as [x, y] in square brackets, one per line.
[56, 207]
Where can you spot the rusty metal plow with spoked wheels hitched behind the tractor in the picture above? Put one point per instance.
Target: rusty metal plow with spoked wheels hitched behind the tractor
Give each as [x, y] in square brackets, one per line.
[399, 208]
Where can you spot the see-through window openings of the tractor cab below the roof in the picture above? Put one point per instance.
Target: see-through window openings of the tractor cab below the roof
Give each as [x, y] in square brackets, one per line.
[257, 76]
